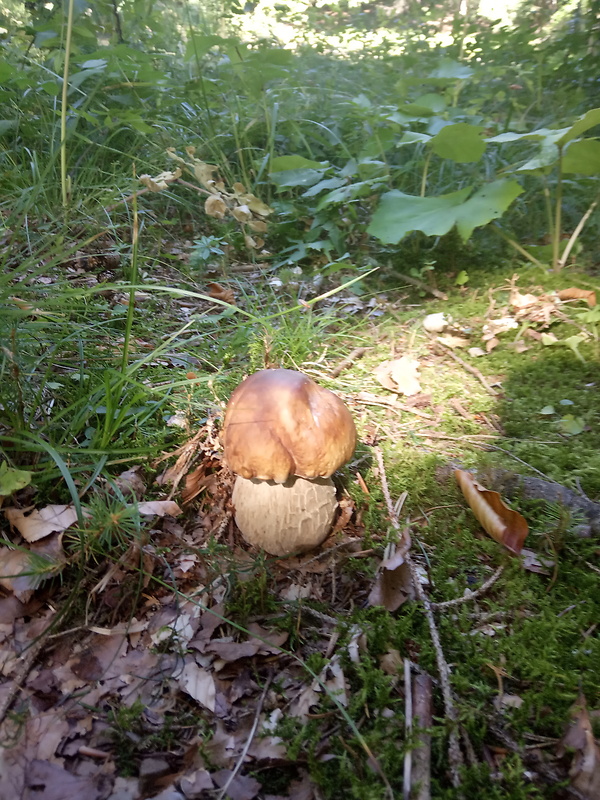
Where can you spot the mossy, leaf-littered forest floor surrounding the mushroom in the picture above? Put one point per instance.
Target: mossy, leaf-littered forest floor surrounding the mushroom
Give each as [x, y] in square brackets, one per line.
[164, 657]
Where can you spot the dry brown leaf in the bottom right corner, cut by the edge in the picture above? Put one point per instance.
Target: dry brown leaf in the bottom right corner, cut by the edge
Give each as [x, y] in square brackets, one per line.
[585, 768]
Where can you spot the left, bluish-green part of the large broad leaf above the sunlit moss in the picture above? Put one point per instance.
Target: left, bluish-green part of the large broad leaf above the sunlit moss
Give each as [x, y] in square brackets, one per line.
[399, 214]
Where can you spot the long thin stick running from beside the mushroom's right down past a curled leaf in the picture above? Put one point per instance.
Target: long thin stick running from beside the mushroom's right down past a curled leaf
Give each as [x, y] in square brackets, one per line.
[454, 752]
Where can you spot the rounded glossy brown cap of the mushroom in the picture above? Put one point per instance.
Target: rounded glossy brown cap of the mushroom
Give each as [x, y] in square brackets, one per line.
[280, 423]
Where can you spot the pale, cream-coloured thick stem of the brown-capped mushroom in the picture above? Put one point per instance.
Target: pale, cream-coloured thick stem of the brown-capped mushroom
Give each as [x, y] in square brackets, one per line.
[284, 518]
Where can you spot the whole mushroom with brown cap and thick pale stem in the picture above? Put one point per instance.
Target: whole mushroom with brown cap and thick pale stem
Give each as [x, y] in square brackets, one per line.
[284, 436]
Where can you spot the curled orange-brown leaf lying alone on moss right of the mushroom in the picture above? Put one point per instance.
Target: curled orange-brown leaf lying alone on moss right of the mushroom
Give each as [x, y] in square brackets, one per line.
[506, 526]
